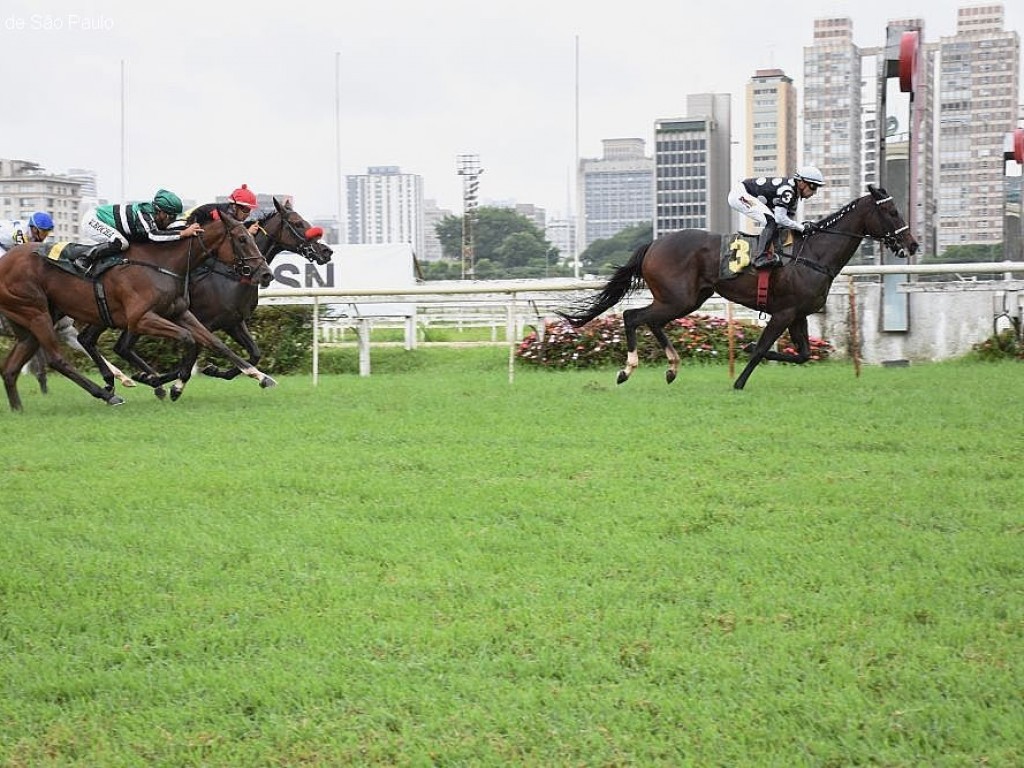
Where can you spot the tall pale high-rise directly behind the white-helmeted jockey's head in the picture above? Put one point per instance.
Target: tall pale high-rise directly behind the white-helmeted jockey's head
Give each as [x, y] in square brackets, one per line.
[833, 115]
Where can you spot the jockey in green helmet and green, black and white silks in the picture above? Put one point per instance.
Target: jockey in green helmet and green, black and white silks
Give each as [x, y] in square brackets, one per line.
[113, 228]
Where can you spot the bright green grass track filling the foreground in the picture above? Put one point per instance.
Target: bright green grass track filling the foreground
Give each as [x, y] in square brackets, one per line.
[433, 567]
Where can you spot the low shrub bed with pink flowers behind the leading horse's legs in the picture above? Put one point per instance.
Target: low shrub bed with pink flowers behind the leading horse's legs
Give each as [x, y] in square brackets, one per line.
[698, 338]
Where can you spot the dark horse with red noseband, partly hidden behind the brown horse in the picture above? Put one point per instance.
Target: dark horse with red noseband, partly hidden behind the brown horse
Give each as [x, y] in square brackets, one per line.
[223, 297]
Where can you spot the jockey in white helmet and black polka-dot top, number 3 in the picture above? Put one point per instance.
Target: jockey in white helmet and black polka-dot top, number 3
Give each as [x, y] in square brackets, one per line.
[773, 202]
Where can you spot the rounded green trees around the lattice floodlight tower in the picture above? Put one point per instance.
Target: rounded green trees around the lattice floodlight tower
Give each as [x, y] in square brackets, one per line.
[506, 245]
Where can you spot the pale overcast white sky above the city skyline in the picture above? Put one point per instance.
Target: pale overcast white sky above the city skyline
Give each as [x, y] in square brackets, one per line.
[221, 94]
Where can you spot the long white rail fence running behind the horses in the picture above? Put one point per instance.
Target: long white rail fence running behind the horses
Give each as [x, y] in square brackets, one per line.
[518, 306]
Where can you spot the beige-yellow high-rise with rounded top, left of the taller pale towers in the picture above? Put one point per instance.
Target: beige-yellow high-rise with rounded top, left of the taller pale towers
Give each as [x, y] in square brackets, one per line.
[772, 124]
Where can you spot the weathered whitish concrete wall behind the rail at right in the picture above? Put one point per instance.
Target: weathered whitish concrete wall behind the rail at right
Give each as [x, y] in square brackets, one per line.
[947, 319]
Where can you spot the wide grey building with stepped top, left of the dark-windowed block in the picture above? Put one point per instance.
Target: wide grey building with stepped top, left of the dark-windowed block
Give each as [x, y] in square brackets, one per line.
[616, 192]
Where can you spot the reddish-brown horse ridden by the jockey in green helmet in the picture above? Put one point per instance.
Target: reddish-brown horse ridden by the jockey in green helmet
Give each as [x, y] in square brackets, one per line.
[146, 293]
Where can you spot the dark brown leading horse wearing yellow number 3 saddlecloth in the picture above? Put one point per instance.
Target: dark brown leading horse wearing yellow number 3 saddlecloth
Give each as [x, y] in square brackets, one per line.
[684, 270]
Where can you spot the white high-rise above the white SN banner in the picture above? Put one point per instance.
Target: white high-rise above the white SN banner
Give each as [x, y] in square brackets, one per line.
[387, 206]
